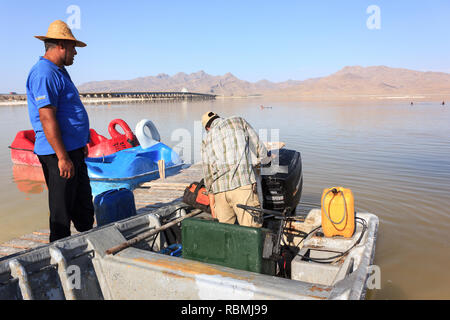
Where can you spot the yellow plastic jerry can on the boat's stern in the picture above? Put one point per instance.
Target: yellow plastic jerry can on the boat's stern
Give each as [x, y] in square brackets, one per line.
[338, 212]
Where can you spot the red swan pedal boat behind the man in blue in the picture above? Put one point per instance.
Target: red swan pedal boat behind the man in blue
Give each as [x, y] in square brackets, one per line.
[22, 147]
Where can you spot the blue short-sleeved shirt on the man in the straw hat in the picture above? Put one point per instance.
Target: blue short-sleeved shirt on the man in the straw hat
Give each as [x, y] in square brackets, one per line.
[49, 84]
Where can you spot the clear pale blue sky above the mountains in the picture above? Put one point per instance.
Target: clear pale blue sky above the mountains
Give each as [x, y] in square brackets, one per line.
[254, 40]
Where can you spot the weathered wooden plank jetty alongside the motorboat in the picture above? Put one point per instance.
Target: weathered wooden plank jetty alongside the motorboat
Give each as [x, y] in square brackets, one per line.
[148, 196]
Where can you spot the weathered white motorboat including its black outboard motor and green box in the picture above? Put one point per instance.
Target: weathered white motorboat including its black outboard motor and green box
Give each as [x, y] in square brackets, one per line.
[177, 252]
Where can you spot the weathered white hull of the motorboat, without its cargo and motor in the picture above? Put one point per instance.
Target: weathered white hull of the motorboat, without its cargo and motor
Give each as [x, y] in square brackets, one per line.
[79, 267]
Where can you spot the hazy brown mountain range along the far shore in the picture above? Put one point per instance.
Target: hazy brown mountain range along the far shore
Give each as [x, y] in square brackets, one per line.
[351, 81]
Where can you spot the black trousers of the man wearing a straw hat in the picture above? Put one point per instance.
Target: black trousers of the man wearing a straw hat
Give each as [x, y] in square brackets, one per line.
[69, 199]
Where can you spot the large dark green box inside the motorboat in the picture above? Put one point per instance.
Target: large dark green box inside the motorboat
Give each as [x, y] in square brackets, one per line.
[227, 245]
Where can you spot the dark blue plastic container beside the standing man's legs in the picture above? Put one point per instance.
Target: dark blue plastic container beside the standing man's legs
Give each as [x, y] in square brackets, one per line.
[114, 205]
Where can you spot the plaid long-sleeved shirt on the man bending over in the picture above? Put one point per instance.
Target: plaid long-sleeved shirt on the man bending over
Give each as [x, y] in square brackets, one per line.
[229, 151]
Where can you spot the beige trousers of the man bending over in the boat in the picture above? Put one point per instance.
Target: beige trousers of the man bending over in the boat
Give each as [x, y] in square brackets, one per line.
[226, 210]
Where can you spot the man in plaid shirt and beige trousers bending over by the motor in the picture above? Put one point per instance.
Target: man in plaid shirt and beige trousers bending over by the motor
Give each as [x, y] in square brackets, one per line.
[229, 152]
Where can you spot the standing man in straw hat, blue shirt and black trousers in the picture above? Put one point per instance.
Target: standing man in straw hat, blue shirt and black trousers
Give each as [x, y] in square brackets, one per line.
[61, 124]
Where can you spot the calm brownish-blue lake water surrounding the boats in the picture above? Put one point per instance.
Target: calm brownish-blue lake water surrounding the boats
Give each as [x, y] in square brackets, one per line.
[395, 158]
